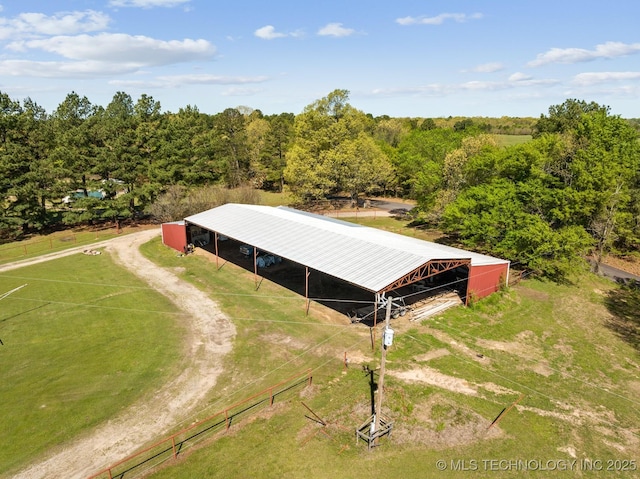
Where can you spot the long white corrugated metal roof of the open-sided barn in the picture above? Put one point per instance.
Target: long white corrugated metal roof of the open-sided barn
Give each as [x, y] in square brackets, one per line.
[367, 257]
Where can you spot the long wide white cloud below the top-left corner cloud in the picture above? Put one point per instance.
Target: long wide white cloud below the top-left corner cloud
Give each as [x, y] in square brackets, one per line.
[122, 48]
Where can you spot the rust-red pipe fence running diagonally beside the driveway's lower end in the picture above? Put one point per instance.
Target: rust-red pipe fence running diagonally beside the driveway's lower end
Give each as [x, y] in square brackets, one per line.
[170, 447]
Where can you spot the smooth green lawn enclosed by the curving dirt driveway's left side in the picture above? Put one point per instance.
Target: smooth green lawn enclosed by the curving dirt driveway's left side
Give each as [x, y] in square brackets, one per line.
[82, 340]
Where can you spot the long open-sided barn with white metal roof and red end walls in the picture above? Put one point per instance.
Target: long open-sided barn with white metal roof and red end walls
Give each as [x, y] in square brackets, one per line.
[360, 258]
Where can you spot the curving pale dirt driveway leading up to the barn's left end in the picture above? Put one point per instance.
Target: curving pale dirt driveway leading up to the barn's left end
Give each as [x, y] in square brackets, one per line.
[209, 336]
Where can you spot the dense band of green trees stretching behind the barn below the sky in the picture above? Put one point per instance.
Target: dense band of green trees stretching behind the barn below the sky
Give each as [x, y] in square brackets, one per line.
[573, 189]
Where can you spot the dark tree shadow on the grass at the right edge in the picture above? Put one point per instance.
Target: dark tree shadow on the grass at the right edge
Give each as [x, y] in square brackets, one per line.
[624, 305]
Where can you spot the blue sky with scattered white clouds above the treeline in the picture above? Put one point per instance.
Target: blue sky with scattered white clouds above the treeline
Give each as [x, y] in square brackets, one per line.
[429, 58]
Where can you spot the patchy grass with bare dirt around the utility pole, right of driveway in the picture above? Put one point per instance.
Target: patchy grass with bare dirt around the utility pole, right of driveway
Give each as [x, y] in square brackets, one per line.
[551, 343]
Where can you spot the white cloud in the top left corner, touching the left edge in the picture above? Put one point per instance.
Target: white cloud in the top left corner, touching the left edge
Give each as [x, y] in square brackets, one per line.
[36, 24]
